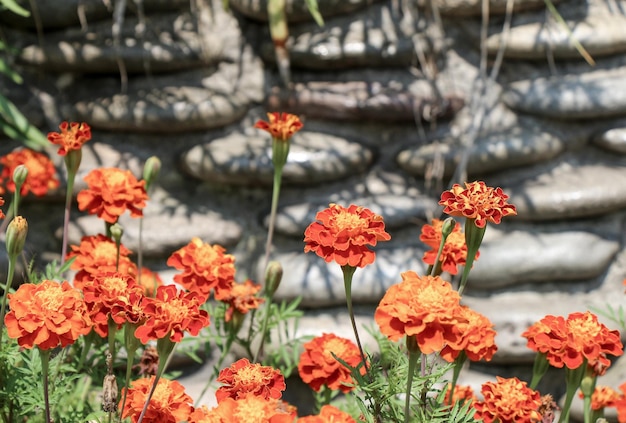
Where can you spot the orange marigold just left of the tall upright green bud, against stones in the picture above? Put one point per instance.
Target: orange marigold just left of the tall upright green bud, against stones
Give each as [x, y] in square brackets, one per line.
[112, 191]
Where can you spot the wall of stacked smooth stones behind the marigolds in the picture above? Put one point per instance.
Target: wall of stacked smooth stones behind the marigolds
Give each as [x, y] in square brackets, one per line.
[395, 99]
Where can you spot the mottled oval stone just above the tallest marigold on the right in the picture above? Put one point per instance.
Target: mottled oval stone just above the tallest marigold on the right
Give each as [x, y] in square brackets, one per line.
[492, 152]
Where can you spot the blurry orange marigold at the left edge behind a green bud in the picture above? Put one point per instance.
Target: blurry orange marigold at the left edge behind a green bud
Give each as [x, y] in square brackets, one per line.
[41, 177]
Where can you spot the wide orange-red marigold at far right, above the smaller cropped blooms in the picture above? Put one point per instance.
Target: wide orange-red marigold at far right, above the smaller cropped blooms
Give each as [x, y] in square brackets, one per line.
[570, 342]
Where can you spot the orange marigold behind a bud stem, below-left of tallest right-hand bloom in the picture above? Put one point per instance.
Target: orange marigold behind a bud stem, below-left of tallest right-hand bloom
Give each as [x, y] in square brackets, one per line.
[454, 251]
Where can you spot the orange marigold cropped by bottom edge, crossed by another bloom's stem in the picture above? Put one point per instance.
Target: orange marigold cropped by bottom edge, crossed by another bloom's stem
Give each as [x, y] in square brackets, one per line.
[169, 403]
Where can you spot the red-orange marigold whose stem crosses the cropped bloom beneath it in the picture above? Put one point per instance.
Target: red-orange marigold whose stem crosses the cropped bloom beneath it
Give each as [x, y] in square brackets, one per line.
[170, 314]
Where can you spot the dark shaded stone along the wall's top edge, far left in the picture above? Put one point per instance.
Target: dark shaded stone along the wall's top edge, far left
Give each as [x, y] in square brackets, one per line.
[54, 14]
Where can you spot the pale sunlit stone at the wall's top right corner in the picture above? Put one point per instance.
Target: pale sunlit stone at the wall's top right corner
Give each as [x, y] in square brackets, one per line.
[599, 34]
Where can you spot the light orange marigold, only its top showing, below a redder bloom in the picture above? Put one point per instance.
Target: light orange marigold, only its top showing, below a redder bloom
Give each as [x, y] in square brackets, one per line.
[245, 410]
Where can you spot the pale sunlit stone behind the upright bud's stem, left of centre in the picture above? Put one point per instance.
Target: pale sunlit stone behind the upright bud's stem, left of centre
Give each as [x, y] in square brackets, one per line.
[169, 223]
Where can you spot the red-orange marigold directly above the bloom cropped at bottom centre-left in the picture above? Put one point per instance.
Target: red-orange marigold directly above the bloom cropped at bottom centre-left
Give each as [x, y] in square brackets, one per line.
[243, 379]
